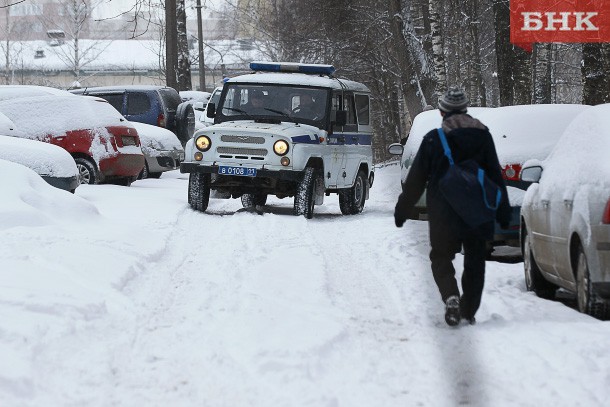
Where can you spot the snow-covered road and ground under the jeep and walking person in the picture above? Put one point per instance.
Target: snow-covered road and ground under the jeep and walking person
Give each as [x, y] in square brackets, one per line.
[232, 308]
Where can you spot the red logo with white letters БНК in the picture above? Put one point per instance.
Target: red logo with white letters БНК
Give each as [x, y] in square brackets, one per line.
[559, 21]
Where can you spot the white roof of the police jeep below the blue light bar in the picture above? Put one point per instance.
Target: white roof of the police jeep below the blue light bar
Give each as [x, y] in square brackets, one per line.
[300, 79]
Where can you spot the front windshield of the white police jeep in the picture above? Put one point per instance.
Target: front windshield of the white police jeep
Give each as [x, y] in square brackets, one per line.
[275, 102]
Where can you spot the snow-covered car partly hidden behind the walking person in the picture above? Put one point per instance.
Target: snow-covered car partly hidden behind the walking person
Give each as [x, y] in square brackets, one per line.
[520, 133]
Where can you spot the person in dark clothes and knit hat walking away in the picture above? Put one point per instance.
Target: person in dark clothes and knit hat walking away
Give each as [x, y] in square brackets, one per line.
[467, 138]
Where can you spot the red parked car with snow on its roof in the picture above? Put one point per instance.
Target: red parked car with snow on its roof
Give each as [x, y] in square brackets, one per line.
[104, 145]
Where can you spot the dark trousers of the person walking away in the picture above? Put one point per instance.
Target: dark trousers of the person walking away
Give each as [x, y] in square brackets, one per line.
[473, 278]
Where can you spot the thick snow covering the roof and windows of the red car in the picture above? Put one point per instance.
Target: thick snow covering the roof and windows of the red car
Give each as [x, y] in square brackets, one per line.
[54, 115]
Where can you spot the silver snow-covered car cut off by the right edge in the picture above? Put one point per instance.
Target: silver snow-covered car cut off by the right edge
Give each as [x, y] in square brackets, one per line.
[565, 216]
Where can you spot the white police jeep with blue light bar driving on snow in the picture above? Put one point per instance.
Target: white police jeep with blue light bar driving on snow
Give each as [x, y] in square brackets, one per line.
[289, 130]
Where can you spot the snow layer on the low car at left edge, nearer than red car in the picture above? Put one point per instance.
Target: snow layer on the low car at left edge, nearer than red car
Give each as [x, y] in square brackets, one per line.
[43, 158]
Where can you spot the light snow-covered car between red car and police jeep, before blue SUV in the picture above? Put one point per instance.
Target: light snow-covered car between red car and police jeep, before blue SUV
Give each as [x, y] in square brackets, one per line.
[162, 150]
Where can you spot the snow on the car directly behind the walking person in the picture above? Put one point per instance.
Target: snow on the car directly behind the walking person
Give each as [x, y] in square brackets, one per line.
[520, 132]
